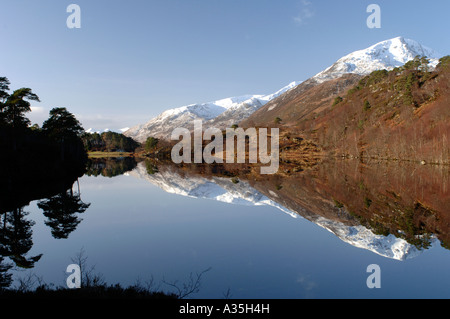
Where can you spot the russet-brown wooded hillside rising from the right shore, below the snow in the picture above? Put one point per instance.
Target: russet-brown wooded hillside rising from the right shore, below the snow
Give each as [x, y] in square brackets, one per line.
[403, 114]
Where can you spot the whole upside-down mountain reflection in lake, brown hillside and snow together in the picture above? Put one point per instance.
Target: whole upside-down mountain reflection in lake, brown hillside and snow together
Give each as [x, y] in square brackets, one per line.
[394, 210]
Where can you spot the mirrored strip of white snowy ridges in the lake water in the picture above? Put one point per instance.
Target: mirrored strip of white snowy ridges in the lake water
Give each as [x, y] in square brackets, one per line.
[224, 190]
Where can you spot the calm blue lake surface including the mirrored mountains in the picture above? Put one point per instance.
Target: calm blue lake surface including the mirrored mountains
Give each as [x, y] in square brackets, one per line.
[259, 239]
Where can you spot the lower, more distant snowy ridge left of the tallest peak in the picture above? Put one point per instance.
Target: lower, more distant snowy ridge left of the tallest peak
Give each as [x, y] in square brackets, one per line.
[222, 113]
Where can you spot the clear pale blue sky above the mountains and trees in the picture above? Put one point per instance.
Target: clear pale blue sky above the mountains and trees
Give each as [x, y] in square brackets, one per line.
[131, 60]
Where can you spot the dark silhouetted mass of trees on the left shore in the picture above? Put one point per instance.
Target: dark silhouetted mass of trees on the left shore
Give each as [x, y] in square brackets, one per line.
[36, 161]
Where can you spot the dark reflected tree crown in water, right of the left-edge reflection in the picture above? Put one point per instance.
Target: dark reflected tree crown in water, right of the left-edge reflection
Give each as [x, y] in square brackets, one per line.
[61, 211]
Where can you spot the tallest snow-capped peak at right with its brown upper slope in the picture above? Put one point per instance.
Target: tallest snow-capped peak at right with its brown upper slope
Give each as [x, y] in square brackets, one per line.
[317, 93]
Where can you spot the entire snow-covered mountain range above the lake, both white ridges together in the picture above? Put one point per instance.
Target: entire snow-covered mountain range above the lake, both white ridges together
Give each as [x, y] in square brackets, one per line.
[224, 113]
